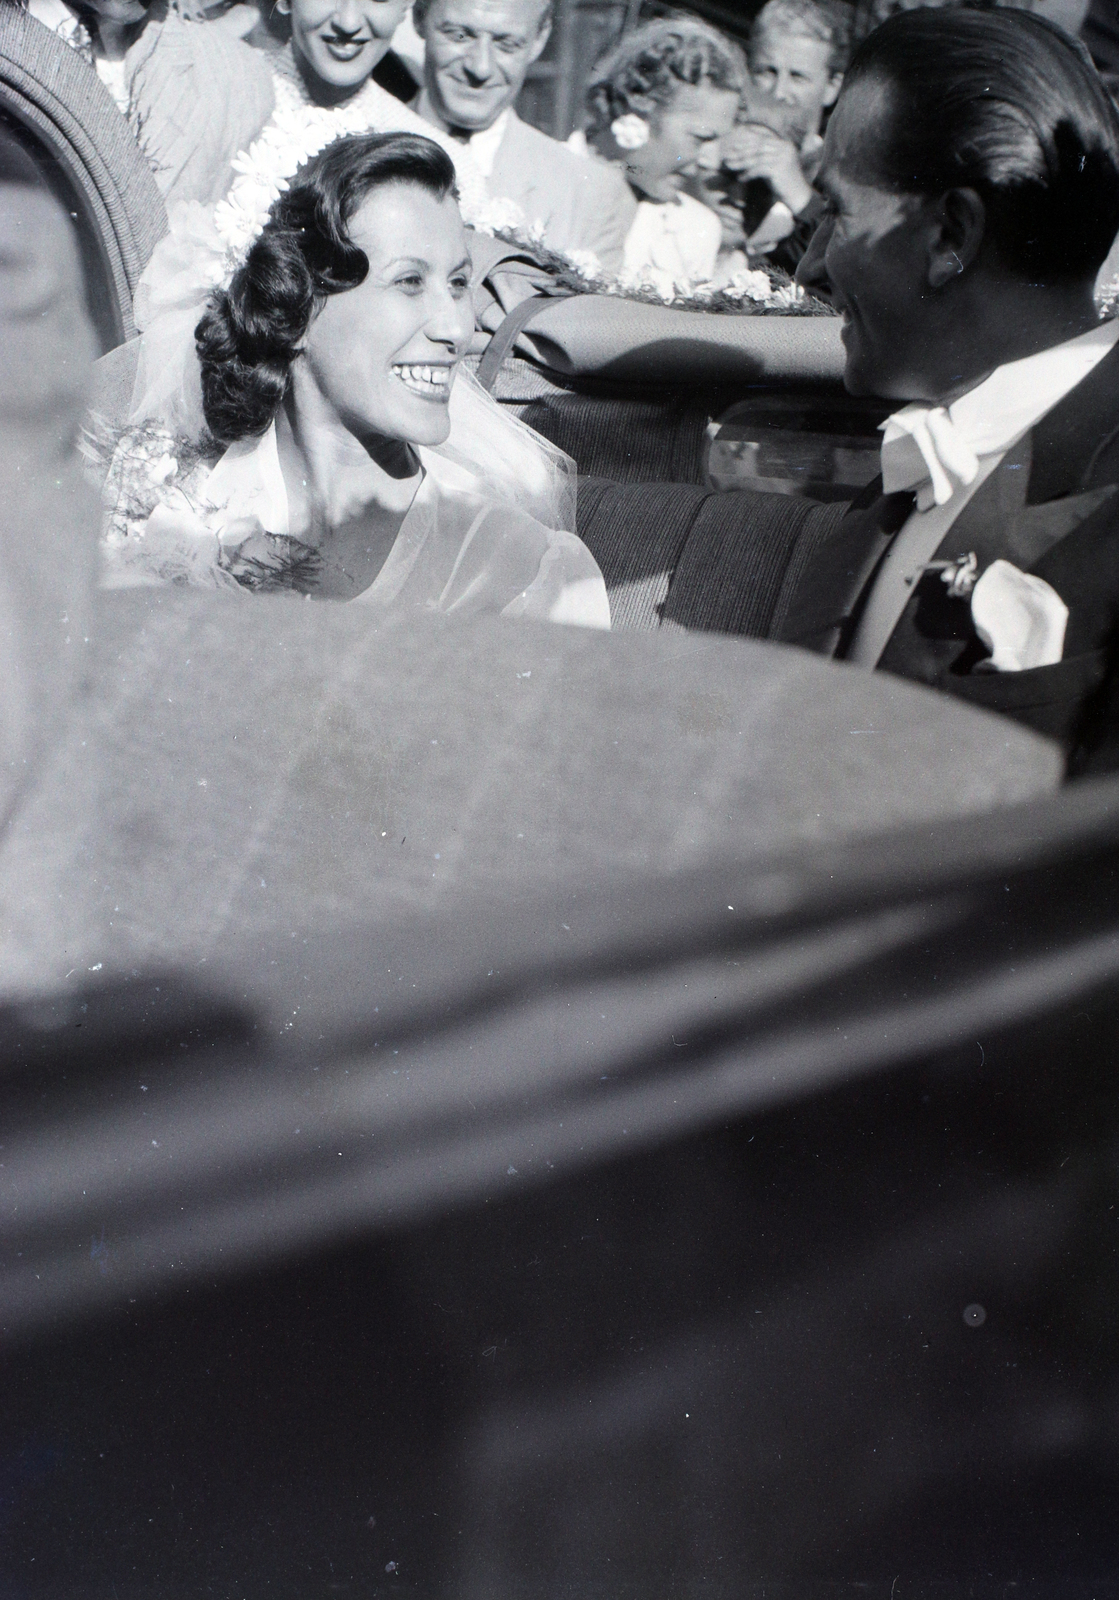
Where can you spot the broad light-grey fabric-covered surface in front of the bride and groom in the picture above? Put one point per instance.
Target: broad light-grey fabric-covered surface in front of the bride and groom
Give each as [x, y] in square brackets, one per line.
[241, 770]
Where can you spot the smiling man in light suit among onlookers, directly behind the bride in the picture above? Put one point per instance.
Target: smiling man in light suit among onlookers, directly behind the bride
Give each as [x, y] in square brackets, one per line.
[478, 55]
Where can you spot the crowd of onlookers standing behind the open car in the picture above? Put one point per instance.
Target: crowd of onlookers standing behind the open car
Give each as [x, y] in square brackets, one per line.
[692, 159]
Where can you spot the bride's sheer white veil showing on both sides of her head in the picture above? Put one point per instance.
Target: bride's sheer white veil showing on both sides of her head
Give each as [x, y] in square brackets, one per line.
[507, 460]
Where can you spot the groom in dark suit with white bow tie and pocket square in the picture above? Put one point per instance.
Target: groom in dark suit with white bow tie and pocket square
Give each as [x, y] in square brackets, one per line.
[973, 186]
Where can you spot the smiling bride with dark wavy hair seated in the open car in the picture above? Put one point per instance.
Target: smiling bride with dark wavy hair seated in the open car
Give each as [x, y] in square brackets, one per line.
[359, 463]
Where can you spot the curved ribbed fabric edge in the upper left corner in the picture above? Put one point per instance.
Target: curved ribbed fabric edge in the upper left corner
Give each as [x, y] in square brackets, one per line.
[66, 121]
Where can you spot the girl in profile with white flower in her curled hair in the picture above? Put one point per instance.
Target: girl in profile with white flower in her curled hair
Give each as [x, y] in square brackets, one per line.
[660, 103]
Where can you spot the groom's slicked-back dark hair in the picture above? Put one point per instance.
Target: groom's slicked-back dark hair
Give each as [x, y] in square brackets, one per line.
[1009, 105]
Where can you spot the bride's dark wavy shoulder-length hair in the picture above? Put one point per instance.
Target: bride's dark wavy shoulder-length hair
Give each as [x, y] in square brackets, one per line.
[252, 332]
